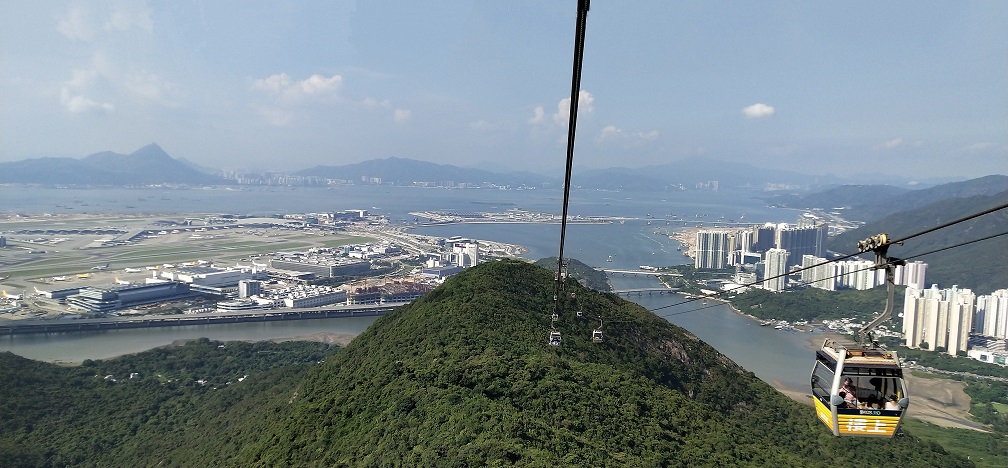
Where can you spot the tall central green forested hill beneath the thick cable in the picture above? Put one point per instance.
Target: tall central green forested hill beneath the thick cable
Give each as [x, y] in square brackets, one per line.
[464, 378]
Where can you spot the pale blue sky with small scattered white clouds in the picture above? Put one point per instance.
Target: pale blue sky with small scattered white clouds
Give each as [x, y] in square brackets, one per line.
[843, 88]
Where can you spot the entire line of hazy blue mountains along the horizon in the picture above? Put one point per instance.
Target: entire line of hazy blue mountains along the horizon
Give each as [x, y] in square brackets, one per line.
[153, 166]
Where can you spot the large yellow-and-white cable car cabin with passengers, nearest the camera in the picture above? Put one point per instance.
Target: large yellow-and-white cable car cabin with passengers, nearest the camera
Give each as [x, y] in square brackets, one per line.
[872, 404]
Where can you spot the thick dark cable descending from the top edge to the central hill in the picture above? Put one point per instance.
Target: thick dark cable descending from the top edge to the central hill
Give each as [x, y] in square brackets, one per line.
[579, 55]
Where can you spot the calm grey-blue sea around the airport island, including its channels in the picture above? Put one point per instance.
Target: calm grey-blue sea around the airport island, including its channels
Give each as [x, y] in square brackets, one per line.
[643, 241]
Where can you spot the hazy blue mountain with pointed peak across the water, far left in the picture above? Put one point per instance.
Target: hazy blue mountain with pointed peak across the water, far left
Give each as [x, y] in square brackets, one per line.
[148, 166]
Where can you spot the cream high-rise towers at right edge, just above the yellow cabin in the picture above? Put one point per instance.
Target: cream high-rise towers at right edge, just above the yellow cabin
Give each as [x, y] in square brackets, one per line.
[957, 321]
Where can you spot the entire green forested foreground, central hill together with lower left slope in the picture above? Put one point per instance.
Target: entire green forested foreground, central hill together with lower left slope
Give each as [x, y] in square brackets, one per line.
[462, 378]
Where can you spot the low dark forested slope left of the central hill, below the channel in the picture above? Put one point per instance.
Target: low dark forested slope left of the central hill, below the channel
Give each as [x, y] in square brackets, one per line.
[168, 406]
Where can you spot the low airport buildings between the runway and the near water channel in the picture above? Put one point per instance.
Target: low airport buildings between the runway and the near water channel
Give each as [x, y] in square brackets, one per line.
[243, 288]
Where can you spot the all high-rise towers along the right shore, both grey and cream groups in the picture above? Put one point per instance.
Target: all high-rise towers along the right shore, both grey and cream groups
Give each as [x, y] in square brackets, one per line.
[955, 320]
